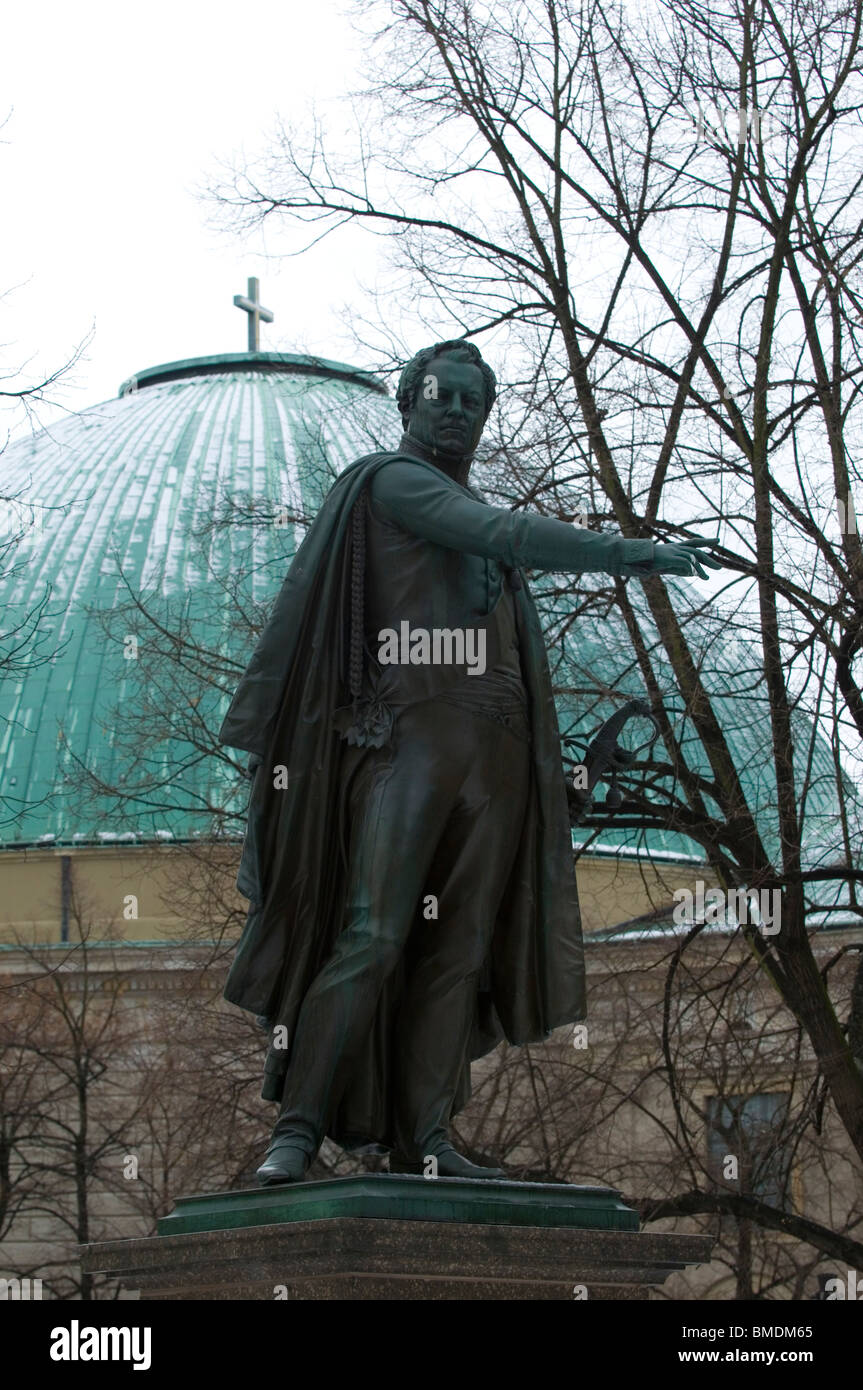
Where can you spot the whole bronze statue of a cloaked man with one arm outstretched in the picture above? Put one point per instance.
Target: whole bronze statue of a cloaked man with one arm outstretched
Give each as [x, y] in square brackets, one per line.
[409, 857]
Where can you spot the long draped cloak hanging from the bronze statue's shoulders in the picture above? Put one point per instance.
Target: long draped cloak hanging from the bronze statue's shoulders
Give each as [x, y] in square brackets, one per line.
[293, 867]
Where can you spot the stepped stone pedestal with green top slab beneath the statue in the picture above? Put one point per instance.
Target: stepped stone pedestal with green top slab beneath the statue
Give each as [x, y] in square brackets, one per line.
[393, 1236]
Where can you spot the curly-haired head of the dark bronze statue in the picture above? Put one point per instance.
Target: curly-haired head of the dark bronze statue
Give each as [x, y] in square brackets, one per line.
[445, 397]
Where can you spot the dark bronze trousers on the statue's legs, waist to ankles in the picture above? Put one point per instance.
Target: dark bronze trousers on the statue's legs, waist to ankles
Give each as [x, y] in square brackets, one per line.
[437, 815]
